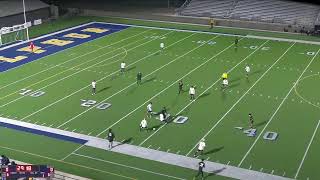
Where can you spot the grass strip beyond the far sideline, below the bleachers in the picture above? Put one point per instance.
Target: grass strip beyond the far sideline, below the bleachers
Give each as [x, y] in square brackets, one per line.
[73, 21]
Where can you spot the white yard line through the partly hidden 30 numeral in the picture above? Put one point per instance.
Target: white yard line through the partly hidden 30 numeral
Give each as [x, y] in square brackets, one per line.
[219, 79]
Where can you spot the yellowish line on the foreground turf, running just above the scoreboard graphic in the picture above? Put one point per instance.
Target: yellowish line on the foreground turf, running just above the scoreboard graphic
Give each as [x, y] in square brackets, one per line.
[65, 162]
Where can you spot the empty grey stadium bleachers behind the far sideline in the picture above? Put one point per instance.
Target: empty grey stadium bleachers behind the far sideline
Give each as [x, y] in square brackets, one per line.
[272, 11]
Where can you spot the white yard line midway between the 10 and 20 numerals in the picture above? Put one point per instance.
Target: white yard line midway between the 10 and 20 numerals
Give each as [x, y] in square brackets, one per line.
[85, 88]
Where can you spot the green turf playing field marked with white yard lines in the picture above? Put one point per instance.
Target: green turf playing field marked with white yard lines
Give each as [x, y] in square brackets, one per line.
[281, 92]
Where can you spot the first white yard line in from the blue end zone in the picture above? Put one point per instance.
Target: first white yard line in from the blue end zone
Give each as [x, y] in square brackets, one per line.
[70, 59]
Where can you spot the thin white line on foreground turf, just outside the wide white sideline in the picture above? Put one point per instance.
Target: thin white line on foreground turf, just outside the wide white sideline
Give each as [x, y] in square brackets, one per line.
[126, 166]
